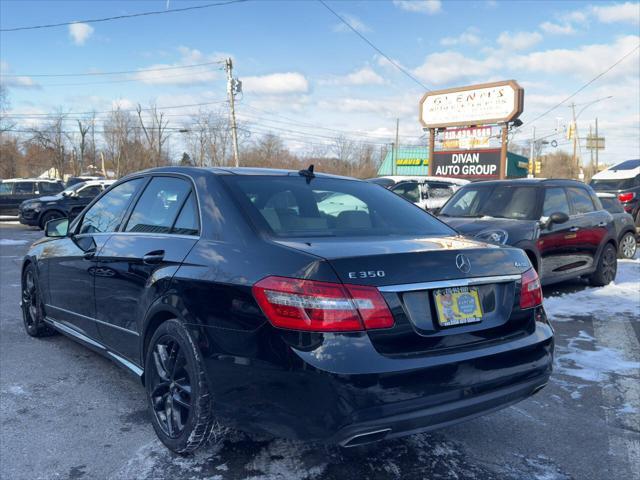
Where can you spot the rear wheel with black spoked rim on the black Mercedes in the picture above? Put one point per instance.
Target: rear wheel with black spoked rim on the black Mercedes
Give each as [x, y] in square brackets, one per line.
[177, 389]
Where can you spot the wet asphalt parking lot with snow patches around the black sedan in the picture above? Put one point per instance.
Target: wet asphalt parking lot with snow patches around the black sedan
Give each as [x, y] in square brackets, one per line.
[66, 412]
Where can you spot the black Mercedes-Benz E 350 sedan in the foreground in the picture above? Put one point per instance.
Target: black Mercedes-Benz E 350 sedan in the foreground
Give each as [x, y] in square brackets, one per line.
[296, 304]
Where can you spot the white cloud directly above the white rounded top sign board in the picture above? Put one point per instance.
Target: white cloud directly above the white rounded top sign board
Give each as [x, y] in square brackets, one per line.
[445, 67]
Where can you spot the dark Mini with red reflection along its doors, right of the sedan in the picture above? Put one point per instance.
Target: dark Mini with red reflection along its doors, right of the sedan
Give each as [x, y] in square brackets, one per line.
[560, 224]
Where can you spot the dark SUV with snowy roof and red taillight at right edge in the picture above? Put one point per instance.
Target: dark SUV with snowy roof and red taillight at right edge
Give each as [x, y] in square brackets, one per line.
[622, 180]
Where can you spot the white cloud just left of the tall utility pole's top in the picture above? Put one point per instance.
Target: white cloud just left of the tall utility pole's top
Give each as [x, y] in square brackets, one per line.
[169, 74]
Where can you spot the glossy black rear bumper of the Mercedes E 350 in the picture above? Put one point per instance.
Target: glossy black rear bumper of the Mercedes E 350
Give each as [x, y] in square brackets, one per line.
[343, 387]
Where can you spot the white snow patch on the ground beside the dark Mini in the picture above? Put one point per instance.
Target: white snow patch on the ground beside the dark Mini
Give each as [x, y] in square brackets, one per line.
[621, 297]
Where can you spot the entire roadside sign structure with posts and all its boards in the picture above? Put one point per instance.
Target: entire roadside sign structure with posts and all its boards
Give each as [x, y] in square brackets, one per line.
[476, 107]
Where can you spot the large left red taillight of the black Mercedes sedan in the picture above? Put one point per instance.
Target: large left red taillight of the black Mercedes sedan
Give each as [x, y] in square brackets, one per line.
[309, 305]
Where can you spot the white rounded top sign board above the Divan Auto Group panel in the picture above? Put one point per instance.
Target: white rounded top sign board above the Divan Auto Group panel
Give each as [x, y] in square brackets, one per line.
[482, 104]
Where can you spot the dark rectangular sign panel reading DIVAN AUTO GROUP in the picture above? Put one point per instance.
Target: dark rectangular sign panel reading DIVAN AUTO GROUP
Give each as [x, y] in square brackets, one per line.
[481, 164]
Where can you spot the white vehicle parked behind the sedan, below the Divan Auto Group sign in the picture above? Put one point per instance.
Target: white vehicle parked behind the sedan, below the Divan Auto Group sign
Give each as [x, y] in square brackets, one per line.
[428, 193]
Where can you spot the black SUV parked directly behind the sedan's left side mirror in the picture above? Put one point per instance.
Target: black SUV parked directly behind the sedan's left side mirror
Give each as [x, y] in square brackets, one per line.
[68, 203]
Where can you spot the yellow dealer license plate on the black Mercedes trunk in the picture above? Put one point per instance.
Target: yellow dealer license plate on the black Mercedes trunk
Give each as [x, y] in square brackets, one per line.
[457, 306]
